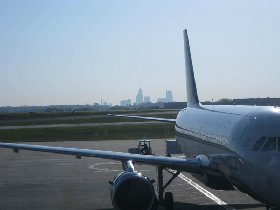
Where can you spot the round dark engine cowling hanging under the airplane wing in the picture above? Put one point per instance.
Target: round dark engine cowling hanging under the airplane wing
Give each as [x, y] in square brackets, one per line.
[132, 190]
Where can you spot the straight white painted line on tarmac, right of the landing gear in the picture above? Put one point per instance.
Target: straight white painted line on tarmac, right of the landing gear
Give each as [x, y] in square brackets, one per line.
[206, 192]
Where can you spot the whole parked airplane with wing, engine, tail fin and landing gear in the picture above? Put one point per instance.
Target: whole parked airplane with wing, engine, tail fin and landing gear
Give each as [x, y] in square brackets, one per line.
[227, 147]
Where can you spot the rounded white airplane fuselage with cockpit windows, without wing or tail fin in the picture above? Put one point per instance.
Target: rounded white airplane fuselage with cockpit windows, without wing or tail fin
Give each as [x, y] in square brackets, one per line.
[234, 130]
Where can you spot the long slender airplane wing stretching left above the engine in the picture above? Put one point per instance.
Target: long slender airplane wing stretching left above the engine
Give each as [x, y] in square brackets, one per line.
[182, 164]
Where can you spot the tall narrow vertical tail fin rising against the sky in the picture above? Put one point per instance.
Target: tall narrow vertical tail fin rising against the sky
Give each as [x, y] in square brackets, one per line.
[192, 97]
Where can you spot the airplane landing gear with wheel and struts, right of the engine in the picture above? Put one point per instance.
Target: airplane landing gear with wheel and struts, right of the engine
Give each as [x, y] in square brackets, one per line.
[168, 201]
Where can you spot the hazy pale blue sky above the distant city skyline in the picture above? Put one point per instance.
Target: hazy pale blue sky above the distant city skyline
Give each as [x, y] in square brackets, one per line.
[77, 52]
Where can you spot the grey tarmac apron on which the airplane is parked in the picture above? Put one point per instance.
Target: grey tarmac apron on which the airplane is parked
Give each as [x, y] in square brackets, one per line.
[34, 180]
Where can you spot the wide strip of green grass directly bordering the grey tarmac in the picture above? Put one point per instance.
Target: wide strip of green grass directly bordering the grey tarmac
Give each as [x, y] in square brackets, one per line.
[164, 130]
